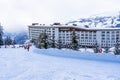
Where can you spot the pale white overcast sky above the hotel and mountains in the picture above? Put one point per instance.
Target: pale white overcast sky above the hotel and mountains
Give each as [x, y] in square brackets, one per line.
[17, 14]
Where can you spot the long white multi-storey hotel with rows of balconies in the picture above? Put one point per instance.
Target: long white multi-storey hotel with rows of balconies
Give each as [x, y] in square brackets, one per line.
[104, 37]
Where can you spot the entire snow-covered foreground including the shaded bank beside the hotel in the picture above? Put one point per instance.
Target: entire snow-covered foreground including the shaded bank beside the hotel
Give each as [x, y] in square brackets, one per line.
[55, 64]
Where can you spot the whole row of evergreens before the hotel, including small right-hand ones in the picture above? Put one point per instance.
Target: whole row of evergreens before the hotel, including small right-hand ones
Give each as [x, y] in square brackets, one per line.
[44, 42]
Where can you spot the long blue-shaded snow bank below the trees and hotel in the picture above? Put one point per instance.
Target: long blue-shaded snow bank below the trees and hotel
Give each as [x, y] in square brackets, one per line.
[79, 55]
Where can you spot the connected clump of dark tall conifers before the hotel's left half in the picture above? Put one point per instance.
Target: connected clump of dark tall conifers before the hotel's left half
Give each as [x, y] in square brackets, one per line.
[45, 42]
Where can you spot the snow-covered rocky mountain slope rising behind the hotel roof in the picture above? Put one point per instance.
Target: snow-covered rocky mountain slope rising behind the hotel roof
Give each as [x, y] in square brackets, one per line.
[105, 20]
